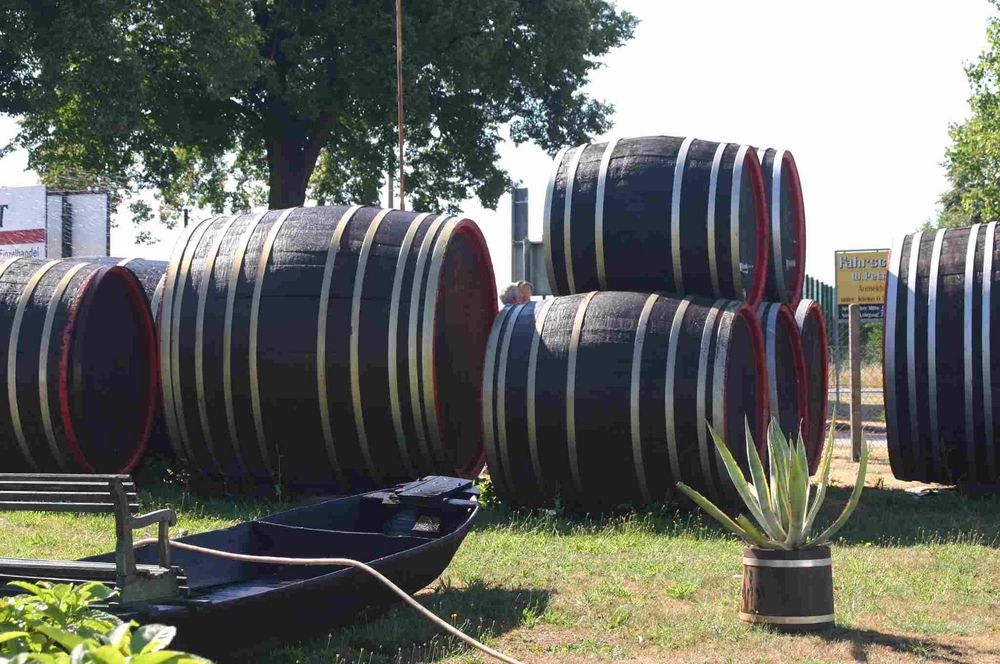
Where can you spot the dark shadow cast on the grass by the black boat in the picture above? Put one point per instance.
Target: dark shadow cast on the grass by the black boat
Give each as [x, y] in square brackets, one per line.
[401, 635]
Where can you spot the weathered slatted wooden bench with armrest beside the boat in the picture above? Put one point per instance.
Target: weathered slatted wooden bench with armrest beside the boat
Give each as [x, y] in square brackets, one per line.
[114, 494]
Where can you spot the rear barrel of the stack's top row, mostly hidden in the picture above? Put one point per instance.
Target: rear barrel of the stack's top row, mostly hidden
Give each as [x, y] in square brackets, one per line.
[786, 267]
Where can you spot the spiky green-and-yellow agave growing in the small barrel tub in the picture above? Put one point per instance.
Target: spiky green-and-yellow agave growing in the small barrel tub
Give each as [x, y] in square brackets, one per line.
[780, 501]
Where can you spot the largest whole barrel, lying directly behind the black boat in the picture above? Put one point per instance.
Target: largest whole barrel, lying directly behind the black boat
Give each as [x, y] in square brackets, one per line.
[330, 347]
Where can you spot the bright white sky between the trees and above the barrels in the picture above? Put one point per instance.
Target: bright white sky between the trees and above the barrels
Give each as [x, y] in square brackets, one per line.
[861, 92]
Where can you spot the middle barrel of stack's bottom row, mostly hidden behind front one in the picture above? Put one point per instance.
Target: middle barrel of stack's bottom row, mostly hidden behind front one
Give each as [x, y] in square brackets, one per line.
[786, 369]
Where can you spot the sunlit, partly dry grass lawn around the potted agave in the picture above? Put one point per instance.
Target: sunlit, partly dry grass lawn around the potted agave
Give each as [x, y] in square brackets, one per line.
[917, 578]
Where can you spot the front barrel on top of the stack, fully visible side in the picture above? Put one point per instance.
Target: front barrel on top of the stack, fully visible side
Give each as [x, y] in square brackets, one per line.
[657, 213]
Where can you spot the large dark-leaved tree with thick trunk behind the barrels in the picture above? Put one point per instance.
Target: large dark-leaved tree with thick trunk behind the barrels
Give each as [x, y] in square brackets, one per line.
[210, 103]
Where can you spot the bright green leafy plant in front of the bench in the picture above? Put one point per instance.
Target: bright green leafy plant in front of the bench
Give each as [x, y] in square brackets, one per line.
[60, 624]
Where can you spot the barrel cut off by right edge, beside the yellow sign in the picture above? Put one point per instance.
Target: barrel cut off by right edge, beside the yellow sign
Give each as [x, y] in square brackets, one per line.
[940, 382]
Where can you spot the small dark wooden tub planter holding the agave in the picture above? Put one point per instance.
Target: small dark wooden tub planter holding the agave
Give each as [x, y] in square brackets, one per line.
[789, 590]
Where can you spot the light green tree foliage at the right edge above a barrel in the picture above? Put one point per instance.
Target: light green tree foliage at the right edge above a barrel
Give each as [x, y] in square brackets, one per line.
[973, 159]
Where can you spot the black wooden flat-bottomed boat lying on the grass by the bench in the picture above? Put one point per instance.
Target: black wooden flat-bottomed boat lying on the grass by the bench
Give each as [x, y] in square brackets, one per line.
[408, 533]
